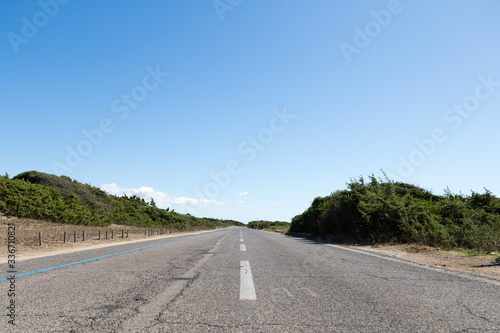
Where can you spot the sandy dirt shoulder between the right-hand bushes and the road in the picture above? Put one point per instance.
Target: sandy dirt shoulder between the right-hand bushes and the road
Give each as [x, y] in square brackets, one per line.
[487, 265]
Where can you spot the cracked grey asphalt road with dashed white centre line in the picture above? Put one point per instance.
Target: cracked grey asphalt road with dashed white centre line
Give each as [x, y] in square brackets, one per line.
[242, 280]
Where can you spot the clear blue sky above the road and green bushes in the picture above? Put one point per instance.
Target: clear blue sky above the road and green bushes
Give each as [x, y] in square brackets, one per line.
[250, 109]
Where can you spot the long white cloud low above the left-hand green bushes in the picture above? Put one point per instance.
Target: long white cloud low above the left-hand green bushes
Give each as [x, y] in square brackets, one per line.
[162, 200]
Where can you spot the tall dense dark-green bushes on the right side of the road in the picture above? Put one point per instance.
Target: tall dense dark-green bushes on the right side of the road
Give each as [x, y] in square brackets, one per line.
[385, 211]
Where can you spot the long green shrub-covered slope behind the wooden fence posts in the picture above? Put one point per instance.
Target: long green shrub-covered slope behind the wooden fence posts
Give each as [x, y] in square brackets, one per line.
[59, 199]
